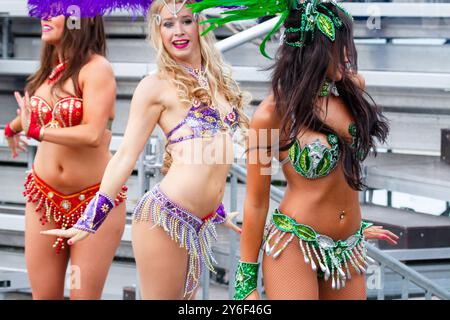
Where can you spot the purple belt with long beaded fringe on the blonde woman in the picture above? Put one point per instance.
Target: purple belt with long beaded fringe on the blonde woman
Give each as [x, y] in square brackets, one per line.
[191, 232]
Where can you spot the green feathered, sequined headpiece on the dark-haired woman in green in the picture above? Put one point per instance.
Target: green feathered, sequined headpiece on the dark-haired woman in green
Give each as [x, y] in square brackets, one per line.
[314, 14]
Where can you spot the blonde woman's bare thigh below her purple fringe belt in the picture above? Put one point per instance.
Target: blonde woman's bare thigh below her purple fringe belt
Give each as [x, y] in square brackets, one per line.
[160, 261]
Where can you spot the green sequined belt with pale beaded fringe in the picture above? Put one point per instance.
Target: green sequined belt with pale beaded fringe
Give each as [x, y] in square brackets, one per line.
[333, 257]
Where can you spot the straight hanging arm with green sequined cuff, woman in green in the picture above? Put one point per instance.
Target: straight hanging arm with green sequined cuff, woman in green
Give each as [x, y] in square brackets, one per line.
[257, 198]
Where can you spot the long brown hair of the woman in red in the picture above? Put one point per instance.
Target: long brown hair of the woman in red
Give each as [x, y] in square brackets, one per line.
[77, 46]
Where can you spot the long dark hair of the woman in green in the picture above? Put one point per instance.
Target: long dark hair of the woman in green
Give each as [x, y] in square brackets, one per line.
[298, 76]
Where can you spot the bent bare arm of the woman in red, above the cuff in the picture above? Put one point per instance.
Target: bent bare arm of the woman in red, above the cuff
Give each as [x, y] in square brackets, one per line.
[99, 95]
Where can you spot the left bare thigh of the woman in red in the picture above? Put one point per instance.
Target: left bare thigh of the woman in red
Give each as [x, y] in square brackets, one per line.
[46, 268]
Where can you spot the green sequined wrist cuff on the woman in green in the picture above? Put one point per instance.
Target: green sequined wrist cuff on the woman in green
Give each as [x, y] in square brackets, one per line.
[246, 279]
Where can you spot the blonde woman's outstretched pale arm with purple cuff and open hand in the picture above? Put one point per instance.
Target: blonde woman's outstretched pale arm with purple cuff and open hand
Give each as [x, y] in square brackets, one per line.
[145, 111]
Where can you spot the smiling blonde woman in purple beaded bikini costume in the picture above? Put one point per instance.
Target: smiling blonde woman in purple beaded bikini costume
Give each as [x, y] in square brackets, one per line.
[194, 100]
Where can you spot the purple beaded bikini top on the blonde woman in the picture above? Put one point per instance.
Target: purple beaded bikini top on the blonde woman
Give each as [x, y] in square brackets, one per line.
[205, 122]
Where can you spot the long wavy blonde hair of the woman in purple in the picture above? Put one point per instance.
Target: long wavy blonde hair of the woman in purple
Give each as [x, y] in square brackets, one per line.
[217, 72]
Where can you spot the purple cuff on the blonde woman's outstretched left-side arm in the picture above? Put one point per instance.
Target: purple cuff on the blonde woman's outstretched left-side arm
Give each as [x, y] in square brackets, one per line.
[95, 213]
